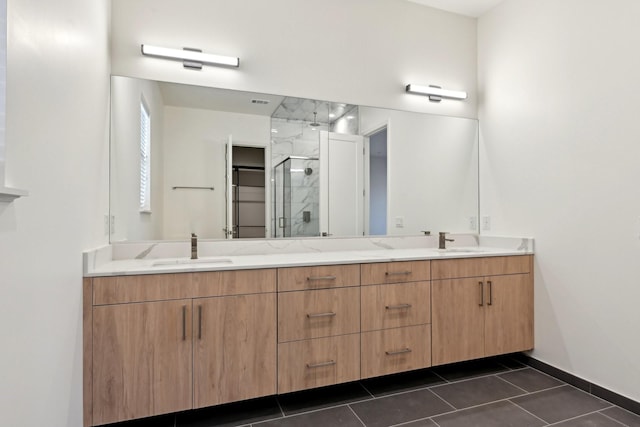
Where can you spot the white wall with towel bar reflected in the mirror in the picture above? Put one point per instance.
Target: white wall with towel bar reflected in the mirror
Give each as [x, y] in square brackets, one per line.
[195, 156]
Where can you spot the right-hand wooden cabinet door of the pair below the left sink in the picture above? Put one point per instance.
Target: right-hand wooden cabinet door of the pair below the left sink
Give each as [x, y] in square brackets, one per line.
[234, 348]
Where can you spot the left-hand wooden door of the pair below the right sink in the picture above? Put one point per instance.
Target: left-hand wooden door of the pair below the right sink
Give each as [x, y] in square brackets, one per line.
[457, 321]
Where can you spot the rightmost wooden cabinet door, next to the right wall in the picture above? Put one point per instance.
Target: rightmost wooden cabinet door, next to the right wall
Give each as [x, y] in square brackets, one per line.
[508, 314]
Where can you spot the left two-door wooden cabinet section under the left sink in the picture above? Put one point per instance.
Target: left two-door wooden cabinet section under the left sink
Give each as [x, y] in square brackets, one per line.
[183, 341]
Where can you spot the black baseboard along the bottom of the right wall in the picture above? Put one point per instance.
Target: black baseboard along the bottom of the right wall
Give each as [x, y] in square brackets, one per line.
[591, 388]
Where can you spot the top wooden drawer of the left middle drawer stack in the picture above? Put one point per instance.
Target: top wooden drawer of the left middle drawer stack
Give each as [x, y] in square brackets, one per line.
[320, 277]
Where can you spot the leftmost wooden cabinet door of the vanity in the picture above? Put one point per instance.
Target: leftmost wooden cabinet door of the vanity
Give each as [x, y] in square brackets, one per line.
[141, 360]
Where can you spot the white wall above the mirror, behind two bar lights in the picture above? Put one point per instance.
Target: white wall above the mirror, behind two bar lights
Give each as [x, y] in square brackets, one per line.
[356, 51]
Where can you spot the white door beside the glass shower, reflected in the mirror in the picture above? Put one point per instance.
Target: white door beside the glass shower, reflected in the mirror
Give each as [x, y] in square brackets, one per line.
[342, 195]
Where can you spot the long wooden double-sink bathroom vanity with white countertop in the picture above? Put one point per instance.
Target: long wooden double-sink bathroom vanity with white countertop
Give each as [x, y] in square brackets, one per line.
[167, 338]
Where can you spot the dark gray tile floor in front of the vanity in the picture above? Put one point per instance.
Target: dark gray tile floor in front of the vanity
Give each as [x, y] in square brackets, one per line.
[496, 392]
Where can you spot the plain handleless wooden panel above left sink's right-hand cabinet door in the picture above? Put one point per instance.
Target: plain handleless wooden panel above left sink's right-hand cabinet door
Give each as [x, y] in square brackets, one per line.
[237, 282]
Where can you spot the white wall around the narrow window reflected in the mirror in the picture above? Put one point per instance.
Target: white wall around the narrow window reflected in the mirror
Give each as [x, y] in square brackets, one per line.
[128, 222]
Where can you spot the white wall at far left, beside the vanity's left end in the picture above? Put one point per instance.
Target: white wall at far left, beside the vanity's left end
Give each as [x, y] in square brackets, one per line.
[57, 149]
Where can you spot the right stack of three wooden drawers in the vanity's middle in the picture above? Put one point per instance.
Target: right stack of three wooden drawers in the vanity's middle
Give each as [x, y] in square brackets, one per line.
[396, 317]
